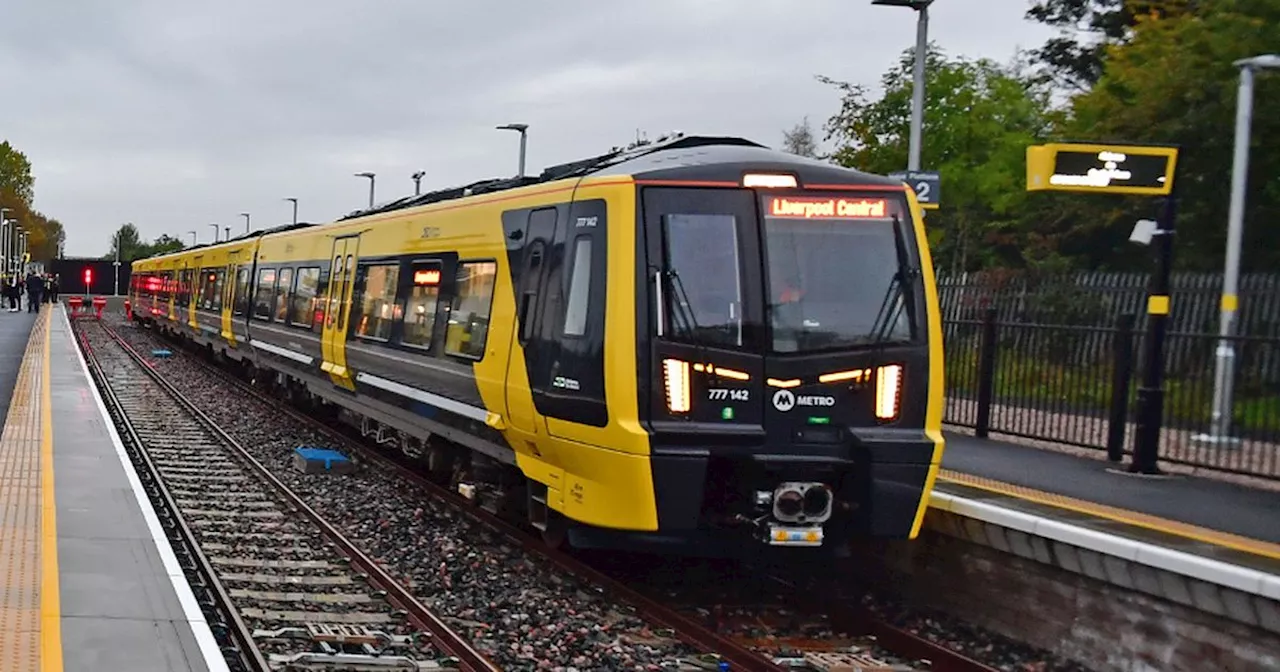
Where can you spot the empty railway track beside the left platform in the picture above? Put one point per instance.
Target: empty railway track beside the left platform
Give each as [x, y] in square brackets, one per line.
[284, 589]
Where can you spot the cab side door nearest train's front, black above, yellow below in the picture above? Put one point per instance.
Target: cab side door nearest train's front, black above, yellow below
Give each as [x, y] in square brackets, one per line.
[531, 266]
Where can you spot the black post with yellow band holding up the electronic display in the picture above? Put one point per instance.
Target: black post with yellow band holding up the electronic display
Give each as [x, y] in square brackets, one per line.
[1151, 394]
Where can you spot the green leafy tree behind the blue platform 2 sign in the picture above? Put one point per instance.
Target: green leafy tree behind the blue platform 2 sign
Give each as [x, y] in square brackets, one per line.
[979, 120]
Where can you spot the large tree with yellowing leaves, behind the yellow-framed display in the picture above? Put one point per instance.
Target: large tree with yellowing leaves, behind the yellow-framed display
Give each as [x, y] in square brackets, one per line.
[1174, 83]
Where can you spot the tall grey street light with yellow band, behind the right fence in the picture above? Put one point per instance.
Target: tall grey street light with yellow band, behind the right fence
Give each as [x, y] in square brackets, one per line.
[1224, 364]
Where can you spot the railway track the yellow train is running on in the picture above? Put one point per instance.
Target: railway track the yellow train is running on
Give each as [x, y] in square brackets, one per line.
[772, 628]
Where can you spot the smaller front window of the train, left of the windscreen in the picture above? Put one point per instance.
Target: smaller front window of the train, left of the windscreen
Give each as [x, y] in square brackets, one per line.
[705, 303]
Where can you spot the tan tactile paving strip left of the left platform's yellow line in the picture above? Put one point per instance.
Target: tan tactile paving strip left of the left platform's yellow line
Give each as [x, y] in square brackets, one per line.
[20, 513]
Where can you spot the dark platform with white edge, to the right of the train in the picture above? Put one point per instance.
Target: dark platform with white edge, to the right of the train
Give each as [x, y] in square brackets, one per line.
[1209, 531]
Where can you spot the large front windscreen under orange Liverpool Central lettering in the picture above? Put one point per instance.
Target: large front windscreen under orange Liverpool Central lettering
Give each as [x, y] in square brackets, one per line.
[835, 272]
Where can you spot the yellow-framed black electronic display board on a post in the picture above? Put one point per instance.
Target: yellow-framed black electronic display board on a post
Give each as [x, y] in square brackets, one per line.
[1136, 170]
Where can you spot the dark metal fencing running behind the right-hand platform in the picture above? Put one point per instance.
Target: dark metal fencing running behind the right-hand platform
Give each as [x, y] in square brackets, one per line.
[1020, 364]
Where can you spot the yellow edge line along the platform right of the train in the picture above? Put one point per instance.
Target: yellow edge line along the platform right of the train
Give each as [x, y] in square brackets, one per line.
[1245, 545]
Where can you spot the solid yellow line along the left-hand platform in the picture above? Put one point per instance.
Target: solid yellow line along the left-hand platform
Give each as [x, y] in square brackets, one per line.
[51, 598]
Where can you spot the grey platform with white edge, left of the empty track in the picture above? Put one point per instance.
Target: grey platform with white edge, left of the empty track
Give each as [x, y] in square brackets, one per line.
[90, 582]
